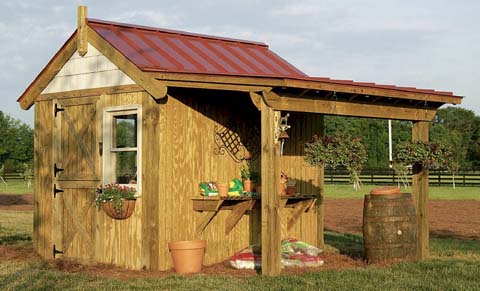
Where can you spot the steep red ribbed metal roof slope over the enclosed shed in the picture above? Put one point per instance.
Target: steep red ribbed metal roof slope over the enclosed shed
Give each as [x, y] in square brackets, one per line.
[154, 49]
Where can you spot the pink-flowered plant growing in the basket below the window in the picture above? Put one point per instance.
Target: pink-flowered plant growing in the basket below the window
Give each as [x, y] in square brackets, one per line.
[114, 193]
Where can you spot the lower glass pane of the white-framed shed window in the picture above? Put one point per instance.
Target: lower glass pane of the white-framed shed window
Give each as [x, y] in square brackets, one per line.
[125, 167]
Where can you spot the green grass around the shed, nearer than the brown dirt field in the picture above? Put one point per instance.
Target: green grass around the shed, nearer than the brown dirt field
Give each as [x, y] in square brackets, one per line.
[454, 265]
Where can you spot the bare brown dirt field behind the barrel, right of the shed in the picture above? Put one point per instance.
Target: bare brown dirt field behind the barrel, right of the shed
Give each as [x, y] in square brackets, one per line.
[447, 218]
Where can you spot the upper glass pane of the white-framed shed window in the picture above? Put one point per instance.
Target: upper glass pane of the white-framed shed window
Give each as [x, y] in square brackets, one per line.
[125, 131]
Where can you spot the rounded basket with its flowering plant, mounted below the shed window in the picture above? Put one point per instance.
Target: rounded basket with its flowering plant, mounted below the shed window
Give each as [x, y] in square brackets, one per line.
[116, 200]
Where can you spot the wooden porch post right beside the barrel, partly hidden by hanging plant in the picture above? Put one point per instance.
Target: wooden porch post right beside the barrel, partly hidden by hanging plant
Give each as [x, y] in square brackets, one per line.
[420, 193]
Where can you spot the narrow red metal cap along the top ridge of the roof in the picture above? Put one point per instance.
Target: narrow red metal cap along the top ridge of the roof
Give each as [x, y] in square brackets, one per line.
[178, 32]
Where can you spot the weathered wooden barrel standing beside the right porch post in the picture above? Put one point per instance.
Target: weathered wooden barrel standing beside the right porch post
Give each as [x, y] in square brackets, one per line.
[389, 227]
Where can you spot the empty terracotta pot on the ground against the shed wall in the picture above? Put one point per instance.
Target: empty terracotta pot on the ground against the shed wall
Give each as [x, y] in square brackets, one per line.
[187, 256]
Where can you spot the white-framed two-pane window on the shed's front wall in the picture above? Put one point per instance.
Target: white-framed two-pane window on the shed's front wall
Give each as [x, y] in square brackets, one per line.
[122, 136]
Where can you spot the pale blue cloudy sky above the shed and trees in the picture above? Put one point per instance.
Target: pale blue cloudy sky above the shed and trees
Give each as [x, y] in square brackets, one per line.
[426, 44]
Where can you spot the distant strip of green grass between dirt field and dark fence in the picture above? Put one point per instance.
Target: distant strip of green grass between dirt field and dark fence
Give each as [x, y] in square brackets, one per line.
[447, 193]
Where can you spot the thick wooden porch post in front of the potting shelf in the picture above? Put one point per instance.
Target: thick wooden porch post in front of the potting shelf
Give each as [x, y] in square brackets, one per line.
[271, 211]
